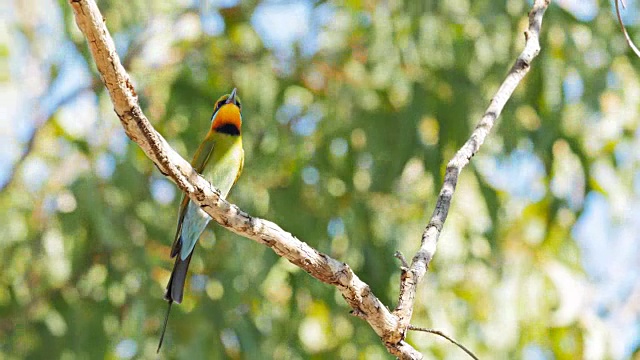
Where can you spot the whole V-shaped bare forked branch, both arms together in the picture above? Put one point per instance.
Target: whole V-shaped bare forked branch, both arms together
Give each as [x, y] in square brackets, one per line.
[390, 326]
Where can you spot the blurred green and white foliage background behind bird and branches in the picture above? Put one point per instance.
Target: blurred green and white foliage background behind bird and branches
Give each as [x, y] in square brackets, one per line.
[351, 112]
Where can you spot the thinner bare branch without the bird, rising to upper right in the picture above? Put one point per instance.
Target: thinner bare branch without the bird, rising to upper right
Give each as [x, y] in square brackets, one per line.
[410, 279]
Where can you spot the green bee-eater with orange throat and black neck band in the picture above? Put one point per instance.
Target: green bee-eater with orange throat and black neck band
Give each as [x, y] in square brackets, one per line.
[219, 159]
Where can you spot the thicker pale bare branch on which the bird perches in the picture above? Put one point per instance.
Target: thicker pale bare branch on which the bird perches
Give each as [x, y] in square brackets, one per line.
[324, 268]
